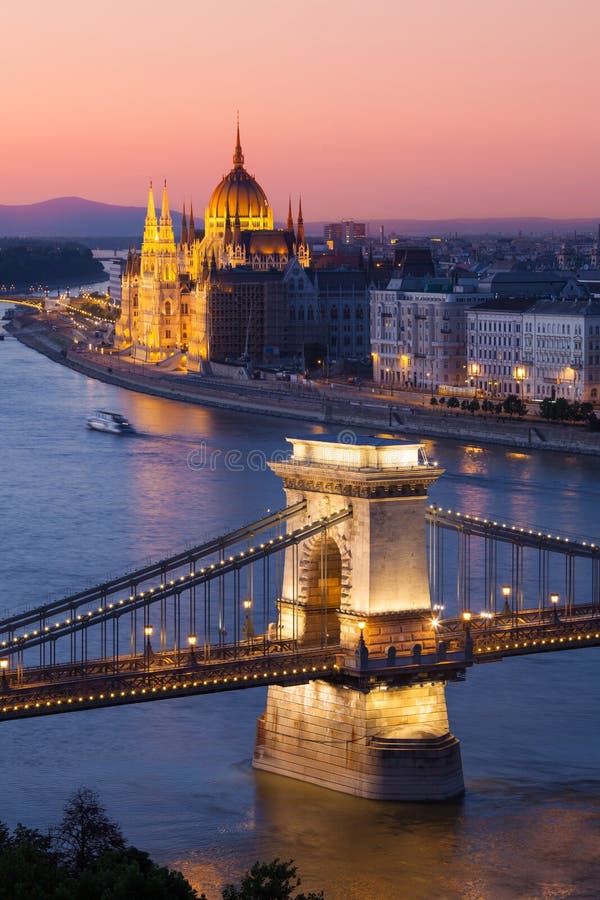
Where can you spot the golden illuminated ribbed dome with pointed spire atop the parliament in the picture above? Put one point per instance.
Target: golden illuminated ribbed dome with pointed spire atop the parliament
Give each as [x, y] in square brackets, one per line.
[238, 193]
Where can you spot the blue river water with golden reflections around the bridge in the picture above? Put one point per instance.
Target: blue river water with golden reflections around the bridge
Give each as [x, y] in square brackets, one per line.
[79, 505]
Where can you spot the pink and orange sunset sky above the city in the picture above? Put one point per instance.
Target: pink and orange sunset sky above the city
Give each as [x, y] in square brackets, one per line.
[379, 109]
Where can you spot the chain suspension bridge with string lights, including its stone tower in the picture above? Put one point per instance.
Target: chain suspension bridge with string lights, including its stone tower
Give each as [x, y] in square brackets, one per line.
[346, 602]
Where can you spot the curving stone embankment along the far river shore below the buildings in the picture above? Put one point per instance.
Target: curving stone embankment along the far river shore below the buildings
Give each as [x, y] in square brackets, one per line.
[332, 405]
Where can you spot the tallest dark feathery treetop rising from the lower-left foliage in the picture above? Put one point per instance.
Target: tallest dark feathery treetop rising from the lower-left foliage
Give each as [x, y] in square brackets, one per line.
[86, 832]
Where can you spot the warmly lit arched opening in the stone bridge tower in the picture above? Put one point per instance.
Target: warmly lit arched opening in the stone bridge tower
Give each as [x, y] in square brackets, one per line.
[321, 592]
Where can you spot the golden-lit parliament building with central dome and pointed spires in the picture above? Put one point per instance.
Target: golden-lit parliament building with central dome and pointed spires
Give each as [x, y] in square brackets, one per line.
[221, 295]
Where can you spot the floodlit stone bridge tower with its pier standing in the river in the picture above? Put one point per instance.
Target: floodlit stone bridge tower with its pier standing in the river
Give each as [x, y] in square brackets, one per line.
[362, 583]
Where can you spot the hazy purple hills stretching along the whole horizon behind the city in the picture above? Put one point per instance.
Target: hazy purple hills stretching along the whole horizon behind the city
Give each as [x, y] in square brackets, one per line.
[74, 217]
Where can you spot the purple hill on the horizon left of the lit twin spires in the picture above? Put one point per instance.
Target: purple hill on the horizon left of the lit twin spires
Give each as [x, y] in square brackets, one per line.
[73, 217]
